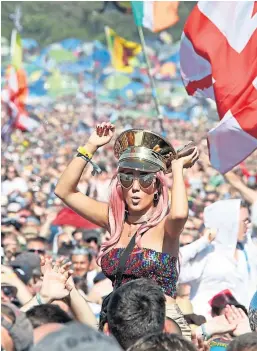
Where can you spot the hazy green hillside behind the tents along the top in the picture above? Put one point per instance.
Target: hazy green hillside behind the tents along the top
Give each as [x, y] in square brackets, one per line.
[51, 21]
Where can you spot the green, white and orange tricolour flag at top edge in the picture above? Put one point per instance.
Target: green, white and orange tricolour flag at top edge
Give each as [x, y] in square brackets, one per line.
[155, 15]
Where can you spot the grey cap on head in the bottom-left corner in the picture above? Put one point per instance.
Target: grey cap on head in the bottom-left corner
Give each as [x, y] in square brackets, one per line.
[20, 329]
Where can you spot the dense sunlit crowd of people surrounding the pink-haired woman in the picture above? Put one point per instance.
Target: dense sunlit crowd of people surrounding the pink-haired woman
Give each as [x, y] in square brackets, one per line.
[52, 287]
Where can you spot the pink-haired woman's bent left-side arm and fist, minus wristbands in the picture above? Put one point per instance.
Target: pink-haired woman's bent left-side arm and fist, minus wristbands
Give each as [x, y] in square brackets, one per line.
[66, 189]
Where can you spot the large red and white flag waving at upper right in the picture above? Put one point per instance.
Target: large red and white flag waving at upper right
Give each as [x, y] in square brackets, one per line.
[218, 60]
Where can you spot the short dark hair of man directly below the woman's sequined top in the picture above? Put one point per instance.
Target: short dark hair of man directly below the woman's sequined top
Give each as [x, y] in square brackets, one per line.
[135, 309]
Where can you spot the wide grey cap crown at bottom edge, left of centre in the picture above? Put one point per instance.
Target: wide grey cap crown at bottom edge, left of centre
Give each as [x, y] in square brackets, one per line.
[75, 336]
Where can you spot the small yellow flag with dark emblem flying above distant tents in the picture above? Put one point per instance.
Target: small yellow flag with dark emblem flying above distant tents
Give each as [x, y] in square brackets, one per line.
[122, 51]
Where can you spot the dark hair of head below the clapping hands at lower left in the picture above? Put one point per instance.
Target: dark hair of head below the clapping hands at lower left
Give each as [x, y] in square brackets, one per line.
[47, 313]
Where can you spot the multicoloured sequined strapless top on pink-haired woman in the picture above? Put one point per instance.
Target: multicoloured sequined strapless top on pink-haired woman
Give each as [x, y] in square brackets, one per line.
[144, 263]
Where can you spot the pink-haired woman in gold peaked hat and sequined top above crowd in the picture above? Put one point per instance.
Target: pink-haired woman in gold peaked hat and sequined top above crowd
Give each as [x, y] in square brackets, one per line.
[138, 207]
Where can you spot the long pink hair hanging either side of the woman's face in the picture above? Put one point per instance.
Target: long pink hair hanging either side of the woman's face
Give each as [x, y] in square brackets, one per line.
[117, 214]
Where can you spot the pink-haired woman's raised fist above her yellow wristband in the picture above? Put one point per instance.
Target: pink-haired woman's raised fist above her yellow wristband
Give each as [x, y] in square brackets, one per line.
[102, 134]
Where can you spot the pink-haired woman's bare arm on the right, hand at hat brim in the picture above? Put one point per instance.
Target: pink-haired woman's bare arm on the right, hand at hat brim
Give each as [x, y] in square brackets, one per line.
[178, 214]
